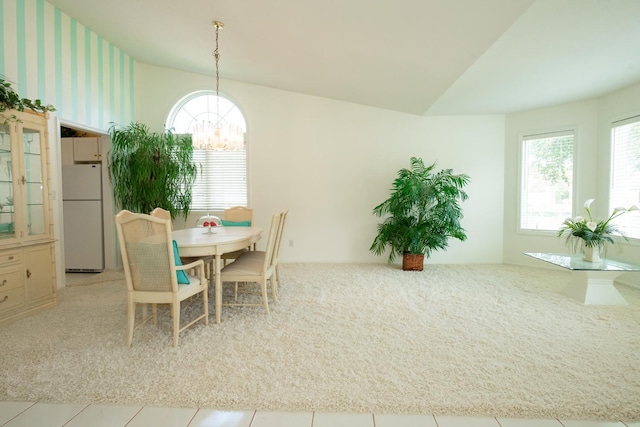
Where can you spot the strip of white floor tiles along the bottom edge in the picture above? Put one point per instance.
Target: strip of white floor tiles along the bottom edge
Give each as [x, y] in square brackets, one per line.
[29, 414]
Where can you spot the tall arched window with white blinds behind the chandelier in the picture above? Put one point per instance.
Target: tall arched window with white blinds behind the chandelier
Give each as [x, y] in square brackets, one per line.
[222, 176]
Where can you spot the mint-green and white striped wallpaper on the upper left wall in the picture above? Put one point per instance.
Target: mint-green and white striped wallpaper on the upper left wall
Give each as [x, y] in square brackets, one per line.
[50, 56]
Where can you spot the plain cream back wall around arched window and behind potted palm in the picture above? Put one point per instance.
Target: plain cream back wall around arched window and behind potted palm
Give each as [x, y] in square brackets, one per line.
[331, 162]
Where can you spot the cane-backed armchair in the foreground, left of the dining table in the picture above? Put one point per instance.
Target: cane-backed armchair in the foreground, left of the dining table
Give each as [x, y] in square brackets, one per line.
[149, 257]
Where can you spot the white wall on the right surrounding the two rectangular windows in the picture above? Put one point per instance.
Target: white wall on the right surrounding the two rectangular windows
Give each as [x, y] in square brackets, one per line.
[592, 122]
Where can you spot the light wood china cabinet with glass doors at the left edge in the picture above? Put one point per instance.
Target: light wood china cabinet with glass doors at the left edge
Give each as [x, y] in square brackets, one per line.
[27, 252]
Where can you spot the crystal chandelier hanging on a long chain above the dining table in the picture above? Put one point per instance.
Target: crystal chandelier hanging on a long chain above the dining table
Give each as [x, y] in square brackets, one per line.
[217, 135]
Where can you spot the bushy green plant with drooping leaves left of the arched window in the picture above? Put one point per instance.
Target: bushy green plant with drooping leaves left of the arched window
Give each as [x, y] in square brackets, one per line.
[150, 170]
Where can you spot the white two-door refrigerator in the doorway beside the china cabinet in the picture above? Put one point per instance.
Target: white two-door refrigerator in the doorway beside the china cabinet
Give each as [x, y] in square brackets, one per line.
[82, 213]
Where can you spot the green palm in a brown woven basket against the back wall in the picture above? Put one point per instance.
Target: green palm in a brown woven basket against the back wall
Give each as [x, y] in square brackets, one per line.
[424, 213]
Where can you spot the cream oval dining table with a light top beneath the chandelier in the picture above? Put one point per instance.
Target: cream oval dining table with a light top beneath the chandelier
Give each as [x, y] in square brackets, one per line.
[215, 241]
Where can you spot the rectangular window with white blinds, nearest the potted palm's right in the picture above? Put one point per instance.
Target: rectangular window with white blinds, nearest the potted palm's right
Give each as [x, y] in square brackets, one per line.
[546, 190]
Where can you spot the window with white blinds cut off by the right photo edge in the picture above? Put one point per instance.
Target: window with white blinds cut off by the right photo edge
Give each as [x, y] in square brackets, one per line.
[625, 174]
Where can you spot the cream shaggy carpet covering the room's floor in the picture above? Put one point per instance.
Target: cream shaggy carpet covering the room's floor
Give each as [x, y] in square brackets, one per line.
[454, 340]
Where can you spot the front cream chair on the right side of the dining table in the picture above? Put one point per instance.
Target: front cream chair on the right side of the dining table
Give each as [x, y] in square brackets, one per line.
[254, 269]
